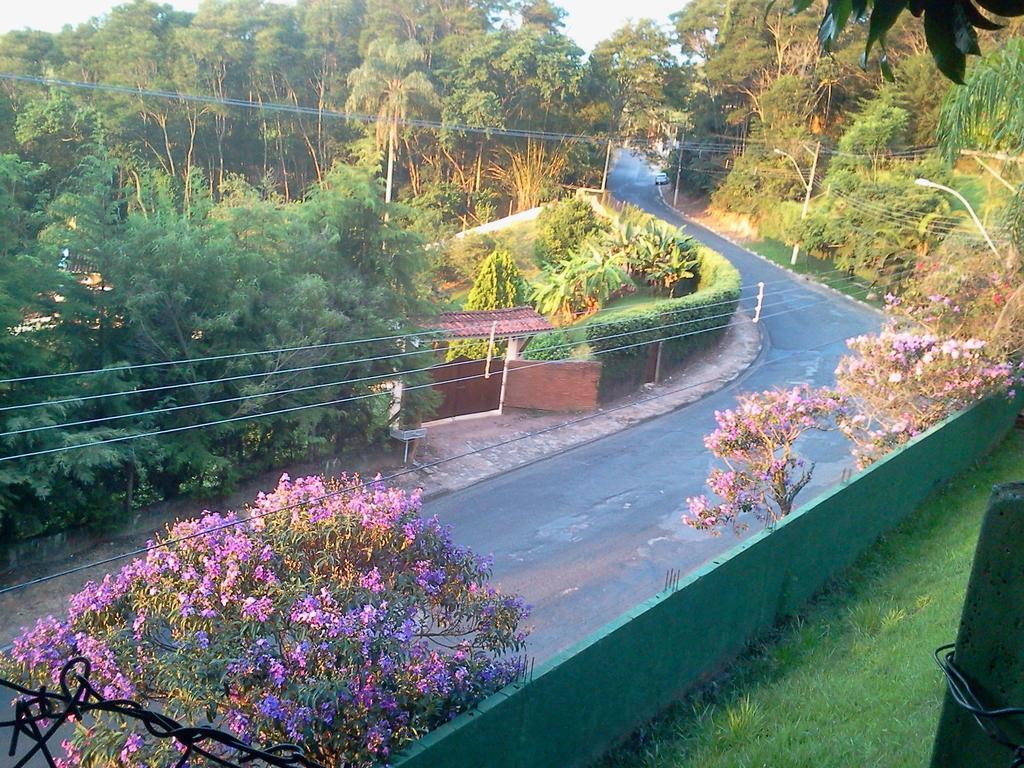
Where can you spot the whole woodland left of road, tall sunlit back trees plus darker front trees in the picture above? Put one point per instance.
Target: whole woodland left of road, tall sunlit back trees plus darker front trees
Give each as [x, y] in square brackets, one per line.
[141, 228]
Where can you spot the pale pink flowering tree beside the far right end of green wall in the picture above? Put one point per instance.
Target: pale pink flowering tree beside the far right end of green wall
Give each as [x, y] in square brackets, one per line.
[900, 383]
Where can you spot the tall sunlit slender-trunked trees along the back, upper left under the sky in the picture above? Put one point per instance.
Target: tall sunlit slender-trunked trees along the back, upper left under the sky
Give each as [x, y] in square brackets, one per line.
[488, 65]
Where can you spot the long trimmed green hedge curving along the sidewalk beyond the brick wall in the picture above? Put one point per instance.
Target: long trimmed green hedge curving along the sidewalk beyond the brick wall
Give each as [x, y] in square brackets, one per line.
[709, 309]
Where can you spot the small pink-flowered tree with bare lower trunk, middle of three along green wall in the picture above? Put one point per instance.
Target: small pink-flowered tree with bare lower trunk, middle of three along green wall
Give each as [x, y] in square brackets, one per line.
[756, 441]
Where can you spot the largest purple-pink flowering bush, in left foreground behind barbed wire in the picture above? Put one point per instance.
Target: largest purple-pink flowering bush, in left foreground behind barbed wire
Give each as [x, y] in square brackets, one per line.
[348, 625]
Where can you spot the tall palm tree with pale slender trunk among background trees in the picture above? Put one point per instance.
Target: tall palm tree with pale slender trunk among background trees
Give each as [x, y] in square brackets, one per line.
[390, 84]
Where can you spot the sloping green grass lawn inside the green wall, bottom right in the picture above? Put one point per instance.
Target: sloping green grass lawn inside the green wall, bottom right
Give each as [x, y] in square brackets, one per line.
[852, 682]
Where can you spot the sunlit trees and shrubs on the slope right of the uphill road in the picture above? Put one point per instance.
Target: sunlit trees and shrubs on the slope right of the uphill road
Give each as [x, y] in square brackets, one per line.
[766, 99]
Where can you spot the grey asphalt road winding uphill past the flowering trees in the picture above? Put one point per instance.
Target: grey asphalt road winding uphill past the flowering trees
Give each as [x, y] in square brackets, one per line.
[587, 535]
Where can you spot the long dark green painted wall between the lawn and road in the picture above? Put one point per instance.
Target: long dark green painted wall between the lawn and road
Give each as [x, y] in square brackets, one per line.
[588, 699]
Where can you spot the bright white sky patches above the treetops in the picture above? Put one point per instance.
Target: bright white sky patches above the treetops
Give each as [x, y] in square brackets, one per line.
[588, 21]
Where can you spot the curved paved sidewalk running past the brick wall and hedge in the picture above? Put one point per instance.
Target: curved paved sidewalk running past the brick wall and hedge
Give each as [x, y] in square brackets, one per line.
[516, 438]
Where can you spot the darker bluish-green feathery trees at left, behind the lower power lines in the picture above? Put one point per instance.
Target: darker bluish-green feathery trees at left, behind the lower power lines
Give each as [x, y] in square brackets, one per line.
[108, 277]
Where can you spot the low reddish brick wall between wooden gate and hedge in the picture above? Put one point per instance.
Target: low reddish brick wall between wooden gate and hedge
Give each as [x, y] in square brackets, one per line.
[567, 386]
